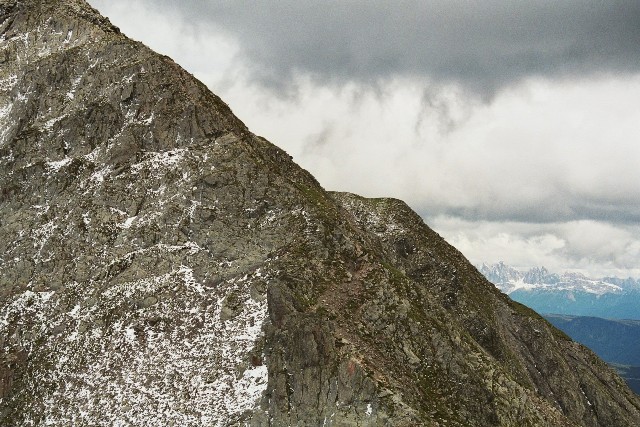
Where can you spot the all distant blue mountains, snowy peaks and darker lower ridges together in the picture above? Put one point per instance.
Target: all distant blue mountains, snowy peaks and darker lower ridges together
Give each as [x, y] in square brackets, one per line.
[597, 313]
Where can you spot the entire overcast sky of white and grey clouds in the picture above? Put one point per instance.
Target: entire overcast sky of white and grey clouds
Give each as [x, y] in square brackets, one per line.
[512, 127]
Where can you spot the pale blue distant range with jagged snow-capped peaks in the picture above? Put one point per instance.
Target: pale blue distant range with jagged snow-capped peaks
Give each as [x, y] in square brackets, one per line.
[567, 293]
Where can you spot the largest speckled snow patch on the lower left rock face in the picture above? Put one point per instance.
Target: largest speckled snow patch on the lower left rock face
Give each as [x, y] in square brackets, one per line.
[138, 371]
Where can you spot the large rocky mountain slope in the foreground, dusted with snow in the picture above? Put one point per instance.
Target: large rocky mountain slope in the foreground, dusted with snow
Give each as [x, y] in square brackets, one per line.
[161, 265]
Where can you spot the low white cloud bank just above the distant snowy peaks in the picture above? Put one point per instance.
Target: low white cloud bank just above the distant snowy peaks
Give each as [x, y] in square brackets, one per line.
[594, 248]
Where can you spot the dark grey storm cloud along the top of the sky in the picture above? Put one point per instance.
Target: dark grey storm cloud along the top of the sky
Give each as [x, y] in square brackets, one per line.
[482, 45]
